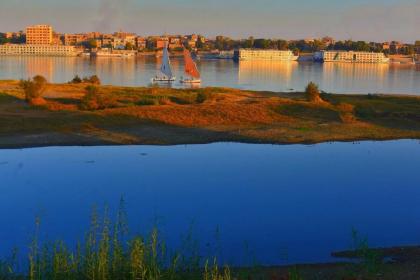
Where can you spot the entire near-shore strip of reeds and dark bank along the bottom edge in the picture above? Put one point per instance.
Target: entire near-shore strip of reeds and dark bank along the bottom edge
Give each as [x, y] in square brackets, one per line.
[110, 251]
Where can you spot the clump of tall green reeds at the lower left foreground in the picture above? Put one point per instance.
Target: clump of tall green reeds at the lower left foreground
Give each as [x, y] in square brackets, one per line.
[108, 253]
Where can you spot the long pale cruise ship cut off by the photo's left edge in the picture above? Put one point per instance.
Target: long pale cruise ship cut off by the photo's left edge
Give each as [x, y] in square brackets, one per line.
[43, 50]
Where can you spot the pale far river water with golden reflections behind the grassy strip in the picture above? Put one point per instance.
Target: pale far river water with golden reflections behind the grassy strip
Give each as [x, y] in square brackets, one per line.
[274, 76]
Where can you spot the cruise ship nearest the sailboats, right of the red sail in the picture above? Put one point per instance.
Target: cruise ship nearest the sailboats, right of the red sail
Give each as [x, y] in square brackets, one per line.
[257, 54]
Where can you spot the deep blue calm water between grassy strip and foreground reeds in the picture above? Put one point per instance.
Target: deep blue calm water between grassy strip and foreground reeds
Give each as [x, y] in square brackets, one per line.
[288, 203]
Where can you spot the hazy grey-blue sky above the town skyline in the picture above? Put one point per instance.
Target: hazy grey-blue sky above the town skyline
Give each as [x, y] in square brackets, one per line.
[379, 20]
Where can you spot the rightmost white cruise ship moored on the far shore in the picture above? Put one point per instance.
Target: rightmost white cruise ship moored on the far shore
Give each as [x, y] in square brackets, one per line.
[350, 56]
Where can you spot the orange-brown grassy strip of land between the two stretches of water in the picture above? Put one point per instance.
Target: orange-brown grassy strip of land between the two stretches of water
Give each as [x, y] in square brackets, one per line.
[162, 116]
